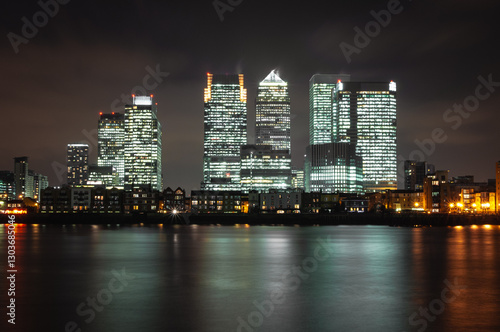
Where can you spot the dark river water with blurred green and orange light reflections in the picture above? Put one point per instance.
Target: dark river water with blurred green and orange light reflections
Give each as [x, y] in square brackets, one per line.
[339, 278]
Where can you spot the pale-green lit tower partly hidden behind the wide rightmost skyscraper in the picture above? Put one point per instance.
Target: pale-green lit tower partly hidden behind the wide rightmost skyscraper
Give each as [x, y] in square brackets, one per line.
[321, 88]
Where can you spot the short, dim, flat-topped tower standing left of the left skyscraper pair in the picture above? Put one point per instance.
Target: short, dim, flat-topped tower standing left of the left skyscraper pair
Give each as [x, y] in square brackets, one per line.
[78, 164]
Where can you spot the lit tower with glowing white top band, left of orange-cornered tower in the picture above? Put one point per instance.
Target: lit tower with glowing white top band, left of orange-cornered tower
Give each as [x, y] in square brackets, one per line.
[142, 146]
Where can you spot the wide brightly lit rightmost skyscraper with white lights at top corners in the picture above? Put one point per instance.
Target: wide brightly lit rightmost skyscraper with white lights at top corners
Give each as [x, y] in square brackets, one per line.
[364, 114]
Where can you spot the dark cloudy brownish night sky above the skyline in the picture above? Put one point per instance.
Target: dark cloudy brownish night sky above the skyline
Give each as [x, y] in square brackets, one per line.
[92, 52]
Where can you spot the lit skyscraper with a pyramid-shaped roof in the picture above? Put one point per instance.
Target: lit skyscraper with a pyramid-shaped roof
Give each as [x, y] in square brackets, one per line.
[272, 118]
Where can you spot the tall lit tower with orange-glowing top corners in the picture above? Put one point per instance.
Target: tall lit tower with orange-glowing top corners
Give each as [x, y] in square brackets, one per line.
[225, 128]
